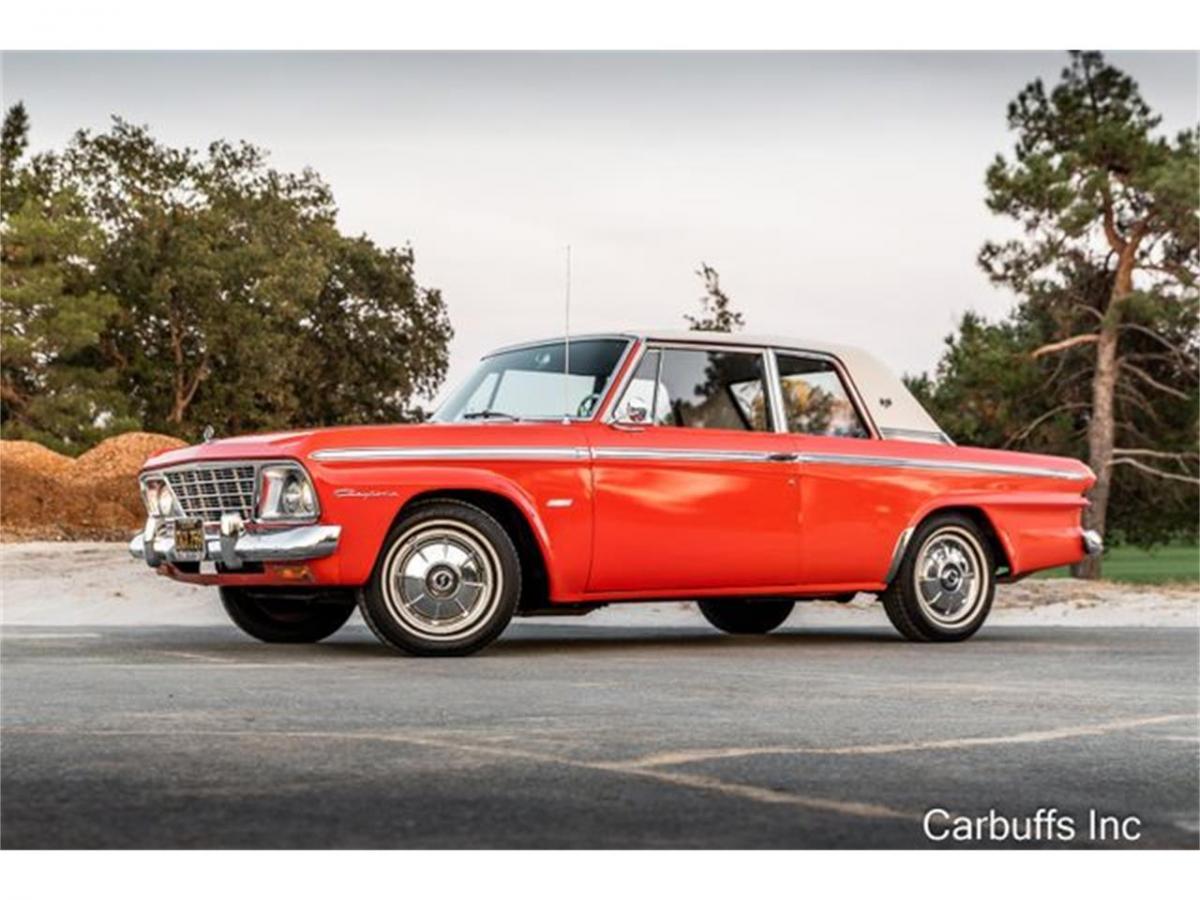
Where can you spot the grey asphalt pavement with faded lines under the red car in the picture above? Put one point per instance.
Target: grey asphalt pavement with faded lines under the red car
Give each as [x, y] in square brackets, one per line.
[584, 736]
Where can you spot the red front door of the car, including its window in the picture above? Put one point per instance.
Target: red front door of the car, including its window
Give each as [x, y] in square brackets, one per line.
[694, 488]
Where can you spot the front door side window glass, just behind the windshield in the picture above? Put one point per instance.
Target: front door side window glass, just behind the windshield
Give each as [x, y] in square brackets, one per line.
[704, 389]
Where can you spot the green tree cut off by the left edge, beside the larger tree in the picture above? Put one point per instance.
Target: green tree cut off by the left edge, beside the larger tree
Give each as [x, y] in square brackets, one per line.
[53, 385]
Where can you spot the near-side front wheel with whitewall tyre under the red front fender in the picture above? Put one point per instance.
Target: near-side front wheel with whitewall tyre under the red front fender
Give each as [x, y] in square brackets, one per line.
[447, 583]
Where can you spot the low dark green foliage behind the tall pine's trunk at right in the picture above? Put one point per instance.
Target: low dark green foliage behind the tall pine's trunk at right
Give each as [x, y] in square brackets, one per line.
[992, 391]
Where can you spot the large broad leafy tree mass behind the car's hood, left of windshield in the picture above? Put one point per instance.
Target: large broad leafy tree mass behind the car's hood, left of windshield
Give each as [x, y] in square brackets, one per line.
[227, 271]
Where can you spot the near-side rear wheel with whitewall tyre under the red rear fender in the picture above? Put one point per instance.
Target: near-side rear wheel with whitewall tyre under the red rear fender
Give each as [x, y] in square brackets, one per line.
[946, 583]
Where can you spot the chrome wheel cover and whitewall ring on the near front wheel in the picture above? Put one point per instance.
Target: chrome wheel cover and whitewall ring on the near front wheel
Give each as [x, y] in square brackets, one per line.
[442, 580]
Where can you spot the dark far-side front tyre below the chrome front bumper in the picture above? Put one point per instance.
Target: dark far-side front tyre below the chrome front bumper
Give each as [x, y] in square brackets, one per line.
[287, 617]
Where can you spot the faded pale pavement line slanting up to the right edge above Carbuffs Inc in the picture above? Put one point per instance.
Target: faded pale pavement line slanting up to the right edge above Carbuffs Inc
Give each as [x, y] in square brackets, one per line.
[1029, 737]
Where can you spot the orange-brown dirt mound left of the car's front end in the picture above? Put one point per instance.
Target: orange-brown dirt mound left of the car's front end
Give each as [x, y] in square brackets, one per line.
[46, 496]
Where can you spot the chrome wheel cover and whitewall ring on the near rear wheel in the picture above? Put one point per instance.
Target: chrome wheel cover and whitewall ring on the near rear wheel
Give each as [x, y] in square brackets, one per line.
[951, 578]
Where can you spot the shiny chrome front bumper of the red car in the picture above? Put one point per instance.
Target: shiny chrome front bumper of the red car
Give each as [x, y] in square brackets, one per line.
[233, 547]
